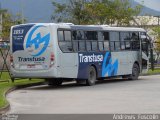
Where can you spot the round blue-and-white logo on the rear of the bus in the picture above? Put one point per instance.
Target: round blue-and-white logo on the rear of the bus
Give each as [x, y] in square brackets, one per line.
[37, 42]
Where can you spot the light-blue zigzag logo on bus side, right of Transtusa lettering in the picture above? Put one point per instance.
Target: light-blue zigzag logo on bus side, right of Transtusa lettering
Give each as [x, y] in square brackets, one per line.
[108, 68]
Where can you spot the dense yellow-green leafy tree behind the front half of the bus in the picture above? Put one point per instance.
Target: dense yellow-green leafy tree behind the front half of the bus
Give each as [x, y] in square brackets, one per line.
[117, 12]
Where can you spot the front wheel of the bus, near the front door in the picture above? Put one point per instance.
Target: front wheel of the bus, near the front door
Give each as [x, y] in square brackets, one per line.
[135, 72]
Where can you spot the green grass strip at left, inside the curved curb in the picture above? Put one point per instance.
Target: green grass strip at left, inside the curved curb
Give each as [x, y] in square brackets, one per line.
[6, 84]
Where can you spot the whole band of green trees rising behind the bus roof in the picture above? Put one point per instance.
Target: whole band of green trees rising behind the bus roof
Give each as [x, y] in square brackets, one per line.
[117, 12]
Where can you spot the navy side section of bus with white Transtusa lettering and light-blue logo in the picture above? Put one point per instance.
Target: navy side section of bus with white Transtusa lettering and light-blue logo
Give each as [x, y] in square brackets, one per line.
[101, 60]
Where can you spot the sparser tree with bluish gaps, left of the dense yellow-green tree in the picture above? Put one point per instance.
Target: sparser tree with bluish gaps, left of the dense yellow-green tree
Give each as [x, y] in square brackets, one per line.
[73, 11]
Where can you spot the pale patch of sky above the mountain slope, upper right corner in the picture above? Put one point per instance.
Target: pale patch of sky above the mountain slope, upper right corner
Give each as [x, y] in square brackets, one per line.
[153, 4]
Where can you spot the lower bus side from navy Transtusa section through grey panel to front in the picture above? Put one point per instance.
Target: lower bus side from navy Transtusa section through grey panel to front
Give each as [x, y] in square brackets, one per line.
[109, 65]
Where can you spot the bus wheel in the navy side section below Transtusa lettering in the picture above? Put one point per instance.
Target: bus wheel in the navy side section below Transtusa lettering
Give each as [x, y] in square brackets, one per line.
[91, 76]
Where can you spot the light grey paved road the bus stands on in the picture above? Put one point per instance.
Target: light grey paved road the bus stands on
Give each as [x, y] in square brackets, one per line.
[113, 96]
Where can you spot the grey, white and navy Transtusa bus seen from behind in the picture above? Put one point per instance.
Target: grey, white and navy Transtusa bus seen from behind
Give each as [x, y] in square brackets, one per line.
[59, 52]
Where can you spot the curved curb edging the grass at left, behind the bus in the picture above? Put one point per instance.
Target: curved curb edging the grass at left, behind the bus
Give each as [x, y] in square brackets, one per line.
[7, 107]
